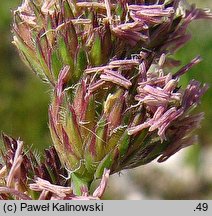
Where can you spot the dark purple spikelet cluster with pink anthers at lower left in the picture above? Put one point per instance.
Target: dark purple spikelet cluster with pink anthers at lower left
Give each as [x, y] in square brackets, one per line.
[25, 177]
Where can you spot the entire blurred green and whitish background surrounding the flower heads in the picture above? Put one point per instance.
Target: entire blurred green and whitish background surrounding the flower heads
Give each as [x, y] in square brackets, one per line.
[24, 103]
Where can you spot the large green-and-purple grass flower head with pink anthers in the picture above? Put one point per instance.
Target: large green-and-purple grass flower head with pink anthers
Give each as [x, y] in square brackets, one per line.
[117, 102]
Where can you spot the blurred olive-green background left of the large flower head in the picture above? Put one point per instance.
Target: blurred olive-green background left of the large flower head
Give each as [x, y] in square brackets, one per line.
[23, 98]
